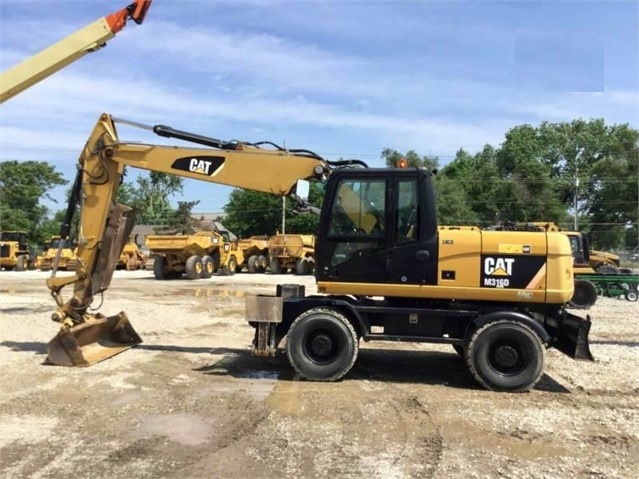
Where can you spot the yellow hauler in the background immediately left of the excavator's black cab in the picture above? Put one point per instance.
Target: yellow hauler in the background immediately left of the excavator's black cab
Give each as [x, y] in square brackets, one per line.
[291, 252]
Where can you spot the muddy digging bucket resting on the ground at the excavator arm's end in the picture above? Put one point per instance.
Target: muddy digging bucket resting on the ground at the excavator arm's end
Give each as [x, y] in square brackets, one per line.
[93, 341]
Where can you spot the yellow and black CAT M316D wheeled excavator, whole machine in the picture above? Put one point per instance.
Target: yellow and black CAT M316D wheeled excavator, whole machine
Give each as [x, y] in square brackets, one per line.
[384, 269]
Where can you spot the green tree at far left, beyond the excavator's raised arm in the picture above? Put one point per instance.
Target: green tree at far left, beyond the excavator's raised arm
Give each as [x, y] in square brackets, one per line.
[23, 184]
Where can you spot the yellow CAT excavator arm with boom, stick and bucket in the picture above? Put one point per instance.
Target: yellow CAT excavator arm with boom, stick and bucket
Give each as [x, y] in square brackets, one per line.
[105, 226]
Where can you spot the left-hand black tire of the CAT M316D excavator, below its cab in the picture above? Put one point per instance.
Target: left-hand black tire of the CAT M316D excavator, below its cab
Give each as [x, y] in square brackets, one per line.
[322, 324]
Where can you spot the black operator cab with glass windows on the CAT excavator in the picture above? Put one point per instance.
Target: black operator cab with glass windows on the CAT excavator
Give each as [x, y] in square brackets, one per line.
[378, 228]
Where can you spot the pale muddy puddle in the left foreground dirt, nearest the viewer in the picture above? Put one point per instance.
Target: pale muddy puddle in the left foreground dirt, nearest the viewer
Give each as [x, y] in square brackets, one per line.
[186, 429]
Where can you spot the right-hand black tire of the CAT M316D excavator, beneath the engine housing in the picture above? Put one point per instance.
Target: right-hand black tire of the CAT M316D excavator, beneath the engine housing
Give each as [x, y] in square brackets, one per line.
[518, 338]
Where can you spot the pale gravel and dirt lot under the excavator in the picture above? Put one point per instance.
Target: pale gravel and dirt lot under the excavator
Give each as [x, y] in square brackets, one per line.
[191, 402]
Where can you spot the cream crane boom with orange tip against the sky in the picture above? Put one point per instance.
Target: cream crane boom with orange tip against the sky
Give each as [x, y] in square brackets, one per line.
[88, 39]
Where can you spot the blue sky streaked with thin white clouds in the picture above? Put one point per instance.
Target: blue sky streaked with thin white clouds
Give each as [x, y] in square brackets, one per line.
[341, 78]
